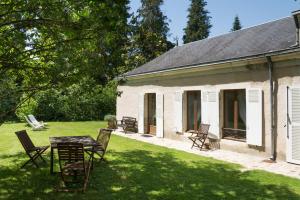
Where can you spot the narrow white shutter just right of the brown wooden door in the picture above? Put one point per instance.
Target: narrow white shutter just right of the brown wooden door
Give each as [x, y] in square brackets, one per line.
[159, 115]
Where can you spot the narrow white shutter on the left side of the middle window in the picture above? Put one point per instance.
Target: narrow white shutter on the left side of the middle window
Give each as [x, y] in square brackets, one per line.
[178, 96]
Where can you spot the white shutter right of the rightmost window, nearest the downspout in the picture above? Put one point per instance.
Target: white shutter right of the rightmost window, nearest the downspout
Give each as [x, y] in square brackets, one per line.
[254, 116]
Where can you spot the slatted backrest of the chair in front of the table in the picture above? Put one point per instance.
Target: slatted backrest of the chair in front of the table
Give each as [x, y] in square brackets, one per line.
[70, 152]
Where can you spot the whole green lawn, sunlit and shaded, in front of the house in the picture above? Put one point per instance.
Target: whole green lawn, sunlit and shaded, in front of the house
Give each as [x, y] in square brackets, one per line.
[135, 170]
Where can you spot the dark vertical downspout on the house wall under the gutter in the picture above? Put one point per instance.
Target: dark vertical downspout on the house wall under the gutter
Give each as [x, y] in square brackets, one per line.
[272, 128]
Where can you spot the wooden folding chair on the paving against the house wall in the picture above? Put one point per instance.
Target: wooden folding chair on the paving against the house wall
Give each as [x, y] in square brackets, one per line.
[198, 138]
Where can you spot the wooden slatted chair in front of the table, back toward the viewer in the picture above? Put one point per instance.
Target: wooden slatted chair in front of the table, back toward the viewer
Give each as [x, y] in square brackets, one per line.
[74, 169]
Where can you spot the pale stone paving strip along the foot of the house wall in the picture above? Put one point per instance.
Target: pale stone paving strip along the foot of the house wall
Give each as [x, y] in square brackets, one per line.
[249, 162]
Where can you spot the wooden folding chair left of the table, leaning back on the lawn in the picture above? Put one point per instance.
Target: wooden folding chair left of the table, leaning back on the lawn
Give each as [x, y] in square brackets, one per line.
[32, 151]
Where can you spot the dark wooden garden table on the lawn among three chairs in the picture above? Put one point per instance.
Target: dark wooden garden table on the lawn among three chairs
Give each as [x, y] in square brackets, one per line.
[85, 140]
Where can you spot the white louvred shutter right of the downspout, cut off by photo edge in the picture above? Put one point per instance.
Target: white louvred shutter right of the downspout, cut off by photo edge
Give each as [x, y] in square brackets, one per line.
[293, 136]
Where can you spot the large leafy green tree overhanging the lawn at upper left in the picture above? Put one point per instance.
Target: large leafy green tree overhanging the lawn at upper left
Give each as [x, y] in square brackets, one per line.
[55, 43]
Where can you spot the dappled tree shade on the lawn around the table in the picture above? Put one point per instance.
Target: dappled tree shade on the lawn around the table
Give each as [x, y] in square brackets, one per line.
[141, 174]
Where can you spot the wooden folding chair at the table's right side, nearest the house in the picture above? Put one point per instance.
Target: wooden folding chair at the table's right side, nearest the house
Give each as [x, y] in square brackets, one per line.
[102, 140]
